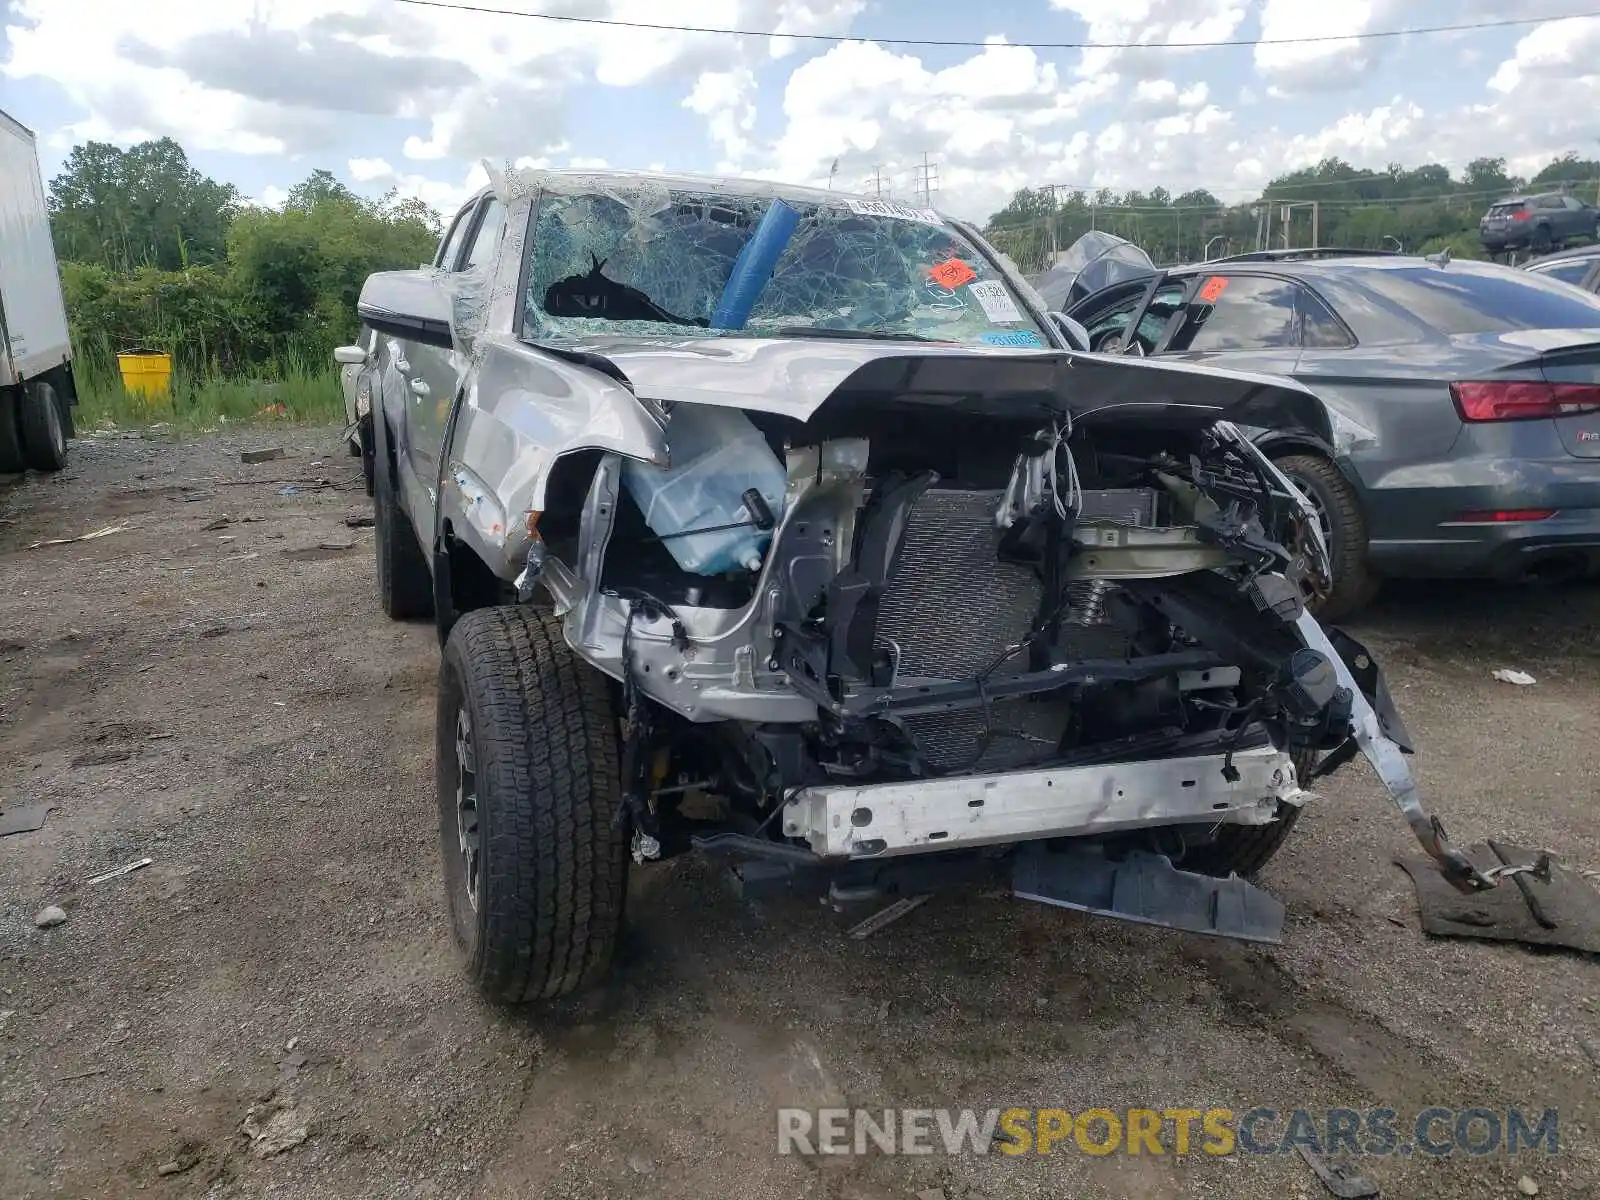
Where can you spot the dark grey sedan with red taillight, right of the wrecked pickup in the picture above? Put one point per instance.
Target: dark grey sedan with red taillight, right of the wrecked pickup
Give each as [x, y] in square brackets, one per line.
[1465, 401]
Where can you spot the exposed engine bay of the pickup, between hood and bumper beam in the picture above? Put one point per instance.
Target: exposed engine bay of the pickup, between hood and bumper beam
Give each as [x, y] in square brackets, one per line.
[889, 594]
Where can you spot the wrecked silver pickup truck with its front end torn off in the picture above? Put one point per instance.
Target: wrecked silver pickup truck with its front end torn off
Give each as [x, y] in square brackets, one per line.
[783, 527]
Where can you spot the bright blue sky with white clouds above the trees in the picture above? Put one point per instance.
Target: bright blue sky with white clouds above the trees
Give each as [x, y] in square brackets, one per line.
[396, 95]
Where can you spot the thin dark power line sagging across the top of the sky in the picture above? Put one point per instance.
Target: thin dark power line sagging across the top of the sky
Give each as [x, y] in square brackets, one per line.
[663, 28]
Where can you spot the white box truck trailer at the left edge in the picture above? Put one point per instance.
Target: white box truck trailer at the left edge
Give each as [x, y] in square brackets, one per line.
[36, 354]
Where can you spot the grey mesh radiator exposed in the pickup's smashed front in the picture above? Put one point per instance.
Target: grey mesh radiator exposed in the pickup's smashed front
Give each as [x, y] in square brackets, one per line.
[953, 609]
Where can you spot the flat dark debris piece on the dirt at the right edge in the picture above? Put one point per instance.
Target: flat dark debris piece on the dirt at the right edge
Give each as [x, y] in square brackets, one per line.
[1551, 905]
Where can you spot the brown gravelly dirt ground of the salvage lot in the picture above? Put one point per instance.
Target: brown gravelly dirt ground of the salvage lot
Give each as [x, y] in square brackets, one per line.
[230, 703]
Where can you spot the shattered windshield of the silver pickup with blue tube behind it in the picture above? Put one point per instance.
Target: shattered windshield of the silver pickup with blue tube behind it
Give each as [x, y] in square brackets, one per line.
[692, 263]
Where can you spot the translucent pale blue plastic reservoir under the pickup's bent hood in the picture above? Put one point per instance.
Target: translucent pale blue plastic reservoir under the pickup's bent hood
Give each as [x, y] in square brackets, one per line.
[718, 455]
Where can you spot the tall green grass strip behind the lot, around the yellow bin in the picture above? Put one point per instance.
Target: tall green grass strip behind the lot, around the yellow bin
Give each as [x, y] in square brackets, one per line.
[294, 388]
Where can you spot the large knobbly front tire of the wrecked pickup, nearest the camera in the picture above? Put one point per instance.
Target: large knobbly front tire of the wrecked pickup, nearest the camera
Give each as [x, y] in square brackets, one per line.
[553, 862]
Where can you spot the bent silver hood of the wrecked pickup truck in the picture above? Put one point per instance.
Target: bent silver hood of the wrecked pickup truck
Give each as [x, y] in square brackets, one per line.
[794, 377]
